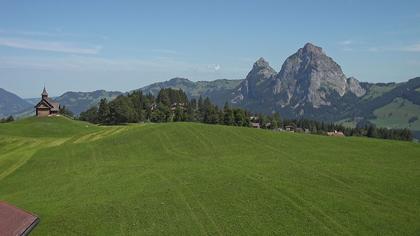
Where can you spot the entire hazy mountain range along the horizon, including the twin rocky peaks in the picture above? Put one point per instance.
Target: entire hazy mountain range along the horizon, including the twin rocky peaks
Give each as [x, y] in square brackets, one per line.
[310, 84]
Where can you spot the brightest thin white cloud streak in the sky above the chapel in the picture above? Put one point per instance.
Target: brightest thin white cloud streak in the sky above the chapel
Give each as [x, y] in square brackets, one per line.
[51, 46]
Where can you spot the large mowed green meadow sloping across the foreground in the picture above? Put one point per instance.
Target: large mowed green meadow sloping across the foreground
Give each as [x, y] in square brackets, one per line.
[197, 179]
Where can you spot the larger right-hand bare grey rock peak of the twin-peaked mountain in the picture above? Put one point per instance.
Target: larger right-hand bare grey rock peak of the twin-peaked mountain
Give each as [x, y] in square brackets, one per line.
[310, 76]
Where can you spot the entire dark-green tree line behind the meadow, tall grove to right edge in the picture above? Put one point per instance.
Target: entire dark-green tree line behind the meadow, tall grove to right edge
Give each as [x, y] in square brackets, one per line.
[171, 105]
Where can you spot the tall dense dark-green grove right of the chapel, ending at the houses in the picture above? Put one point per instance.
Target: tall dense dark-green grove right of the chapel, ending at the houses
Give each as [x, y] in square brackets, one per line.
[169, 105]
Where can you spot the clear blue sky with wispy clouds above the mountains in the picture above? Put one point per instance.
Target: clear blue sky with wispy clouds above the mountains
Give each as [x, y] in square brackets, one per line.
[123, 45]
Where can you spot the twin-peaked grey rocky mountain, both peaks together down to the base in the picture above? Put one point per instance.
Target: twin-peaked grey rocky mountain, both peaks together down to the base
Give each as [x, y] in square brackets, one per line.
[308, 80]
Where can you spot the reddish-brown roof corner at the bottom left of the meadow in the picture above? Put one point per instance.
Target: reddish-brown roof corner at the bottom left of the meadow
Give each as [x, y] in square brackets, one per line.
[15, 221]
